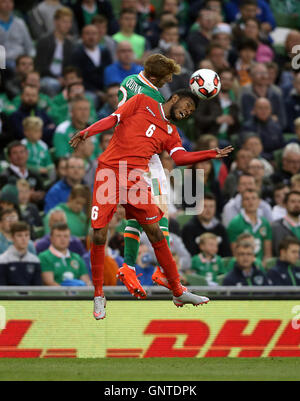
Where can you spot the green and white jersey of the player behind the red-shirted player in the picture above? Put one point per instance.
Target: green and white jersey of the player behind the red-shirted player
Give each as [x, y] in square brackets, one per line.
[136, 84]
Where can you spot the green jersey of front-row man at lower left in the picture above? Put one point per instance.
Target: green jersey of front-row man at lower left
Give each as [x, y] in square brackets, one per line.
[70, 266]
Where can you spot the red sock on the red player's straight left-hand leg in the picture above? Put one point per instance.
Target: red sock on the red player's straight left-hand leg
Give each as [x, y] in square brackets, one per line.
[97, 264]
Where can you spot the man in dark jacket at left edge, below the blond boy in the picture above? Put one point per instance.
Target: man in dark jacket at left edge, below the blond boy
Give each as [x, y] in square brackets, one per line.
[17, 155]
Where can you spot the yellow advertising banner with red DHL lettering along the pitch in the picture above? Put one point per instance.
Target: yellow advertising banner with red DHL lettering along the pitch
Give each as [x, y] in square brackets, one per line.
[144, 329]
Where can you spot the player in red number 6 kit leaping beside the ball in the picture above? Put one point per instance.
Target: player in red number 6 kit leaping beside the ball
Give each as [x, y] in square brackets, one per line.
[143, 129]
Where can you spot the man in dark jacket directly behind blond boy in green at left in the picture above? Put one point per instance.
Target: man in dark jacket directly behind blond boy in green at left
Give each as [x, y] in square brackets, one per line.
[29, 107]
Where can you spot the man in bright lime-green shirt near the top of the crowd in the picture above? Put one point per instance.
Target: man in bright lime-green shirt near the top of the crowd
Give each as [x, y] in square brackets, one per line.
[128, 21]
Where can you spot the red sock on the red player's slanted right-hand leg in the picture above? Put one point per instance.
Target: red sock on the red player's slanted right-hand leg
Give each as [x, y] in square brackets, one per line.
[167, 262]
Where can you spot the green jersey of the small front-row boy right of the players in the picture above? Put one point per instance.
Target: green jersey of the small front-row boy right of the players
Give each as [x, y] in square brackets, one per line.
[209, 269]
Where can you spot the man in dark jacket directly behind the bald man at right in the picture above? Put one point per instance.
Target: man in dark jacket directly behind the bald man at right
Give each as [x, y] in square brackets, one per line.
[260, 88]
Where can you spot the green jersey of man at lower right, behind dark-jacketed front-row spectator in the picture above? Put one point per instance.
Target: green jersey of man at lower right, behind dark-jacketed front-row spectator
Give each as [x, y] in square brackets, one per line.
[261, 231]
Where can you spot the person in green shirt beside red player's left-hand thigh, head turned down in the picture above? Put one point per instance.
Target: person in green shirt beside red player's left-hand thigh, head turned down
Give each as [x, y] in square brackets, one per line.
[76, 210]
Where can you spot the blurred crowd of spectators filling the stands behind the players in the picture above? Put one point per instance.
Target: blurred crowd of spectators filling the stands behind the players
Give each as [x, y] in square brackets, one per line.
[64, 62]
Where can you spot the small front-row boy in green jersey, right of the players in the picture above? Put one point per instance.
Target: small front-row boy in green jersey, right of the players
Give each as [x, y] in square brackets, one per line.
[208, 263]
